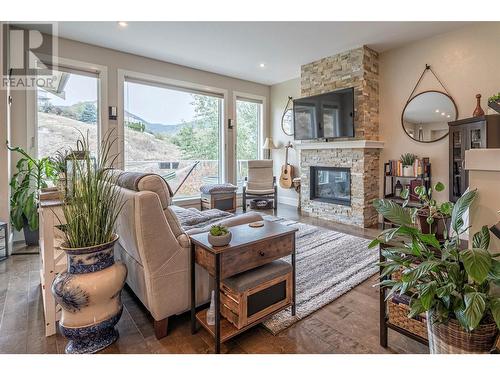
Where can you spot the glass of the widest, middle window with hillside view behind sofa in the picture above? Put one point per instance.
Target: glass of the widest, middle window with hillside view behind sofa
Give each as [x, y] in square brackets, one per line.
[167, 130]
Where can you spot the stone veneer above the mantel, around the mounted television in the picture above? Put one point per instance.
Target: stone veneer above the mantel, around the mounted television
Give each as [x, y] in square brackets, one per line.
[356, 68]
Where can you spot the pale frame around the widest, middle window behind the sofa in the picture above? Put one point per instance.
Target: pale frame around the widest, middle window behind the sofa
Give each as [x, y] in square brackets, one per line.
[172, 84]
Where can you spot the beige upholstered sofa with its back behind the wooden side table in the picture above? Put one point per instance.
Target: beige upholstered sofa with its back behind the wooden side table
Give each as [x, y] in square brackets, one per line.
[156, 249]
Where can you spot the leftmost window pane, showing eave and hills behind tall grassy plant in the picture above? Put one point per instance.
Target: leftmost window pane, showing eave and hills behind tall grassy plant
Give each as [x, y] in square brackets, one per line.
[66, 110]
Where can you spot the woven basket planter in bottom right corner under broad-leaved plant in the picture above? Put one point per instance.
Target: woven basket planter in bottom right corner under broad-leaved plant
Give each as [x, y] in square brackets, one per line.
[451, 338]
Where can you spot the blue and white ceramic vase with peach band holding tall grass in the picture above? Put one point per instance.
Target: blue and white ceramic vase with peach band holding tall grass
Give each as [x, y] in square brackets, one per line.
[90, 296]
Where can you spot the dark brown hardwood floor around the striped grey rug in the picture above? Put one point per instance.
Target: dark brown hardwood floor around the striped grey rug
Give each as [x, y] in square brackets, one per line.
[347, 325]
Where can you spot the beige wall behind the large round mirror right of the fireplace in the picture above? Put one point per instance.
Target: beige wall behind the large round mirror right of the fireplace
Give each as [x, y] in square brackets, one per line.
[465, 60]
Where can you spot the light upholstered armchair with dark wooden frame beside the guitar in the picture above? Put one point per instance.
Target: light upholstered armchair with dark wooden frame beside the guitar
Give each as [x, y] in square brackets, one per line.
[260, 183]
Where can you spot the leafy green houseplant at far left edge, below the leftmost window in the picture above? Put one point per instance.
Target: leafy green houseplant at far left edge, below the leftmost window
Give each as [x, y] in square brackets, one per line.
[31, 175]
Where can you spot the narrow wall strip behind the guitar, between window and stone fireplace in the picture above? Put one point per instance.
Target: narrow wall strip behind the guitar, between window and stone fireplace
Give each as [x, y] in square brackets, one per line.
[279, 96]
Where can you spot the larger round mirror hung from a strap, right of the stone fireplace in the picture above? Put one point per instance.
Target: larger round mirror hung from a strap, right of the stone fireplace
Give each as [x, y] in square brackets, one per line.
[425, 117]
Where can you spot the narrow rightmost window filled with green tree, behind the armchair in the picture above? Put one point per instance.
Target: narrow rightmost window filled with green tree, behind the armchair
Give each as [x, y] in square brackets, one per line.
[248, 127]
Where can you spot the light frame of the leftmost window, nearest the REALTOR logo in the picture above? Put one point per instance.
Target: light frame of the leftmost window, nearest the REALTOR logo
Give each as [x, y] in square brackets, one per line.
[78, 67]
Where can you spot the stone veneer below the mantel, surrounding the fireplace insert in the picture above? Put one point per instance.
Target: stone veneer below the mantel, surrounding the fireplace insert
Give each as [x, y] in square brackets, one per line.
[364, 184]
